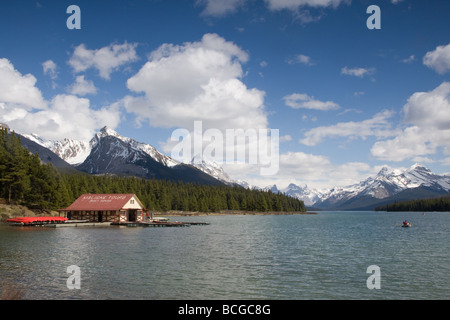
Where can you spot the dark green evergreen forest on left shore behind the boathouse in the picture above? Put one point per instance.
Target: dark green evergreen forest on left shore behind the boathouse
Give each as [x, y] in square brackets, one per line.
[25, 180]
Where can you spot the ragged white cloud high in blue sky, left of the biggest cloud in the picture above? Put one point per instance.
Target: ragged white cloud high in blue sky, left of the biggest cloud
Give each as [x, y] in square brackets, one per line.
[106, 60]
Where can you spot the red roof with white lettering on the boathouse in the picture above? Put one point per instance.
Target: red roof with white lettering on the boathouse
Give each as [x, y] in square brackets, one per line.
[101, 202]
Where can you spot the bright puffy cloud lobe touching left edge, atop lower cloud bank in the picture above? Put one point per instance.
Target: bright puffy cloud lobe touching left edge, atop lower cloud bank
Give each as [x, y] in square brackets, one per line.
[17, 90]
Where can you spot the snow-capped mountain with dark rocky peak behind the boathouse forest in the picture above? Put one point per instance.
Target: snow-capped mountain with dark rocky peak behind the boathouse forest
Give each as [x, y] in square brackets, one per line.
[108, 152]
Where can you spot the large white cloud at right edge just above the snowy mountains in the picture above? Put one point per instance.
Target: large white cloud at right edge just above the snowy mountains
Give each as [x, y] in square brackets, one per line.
[428, 116]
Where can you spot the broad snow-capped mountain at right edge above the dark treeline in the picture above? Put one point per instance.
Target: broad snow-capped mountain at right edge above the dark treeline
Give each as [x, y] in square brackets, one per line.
[386, 185]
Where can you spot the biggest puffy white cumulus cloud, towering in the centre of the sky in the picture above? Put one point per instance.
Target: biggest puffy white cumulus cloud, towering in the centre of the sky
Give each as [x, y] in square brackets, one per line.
[196, 81]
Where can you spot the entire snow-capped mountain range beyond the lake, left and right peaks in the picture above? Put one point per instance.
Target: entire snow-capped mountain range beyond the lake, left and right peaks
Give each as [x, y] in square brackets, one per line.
[110, 153]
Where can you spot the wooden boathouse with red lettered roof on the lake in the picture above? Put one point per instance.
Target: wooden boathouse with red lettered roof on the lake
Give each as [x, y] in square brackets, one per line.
[106, 208]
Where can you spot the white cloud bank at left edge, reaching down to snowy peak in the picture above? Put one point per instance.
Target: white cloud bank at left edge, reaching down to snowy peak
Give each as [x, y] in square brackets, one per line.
[23, 108]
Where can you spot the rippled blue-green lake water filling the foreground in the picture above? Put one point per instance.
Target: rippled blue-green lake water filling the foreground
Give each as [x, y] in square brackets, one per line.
[323, 256]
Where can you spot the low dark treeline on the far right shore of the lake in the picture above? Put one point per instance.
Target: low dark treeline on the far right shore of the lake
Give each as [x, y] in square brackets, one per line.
[435, 204]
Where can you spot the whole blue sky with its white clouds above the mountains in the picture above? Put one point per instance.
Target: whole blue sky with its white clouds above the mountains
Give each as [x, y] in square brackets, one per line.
[346, 100]
